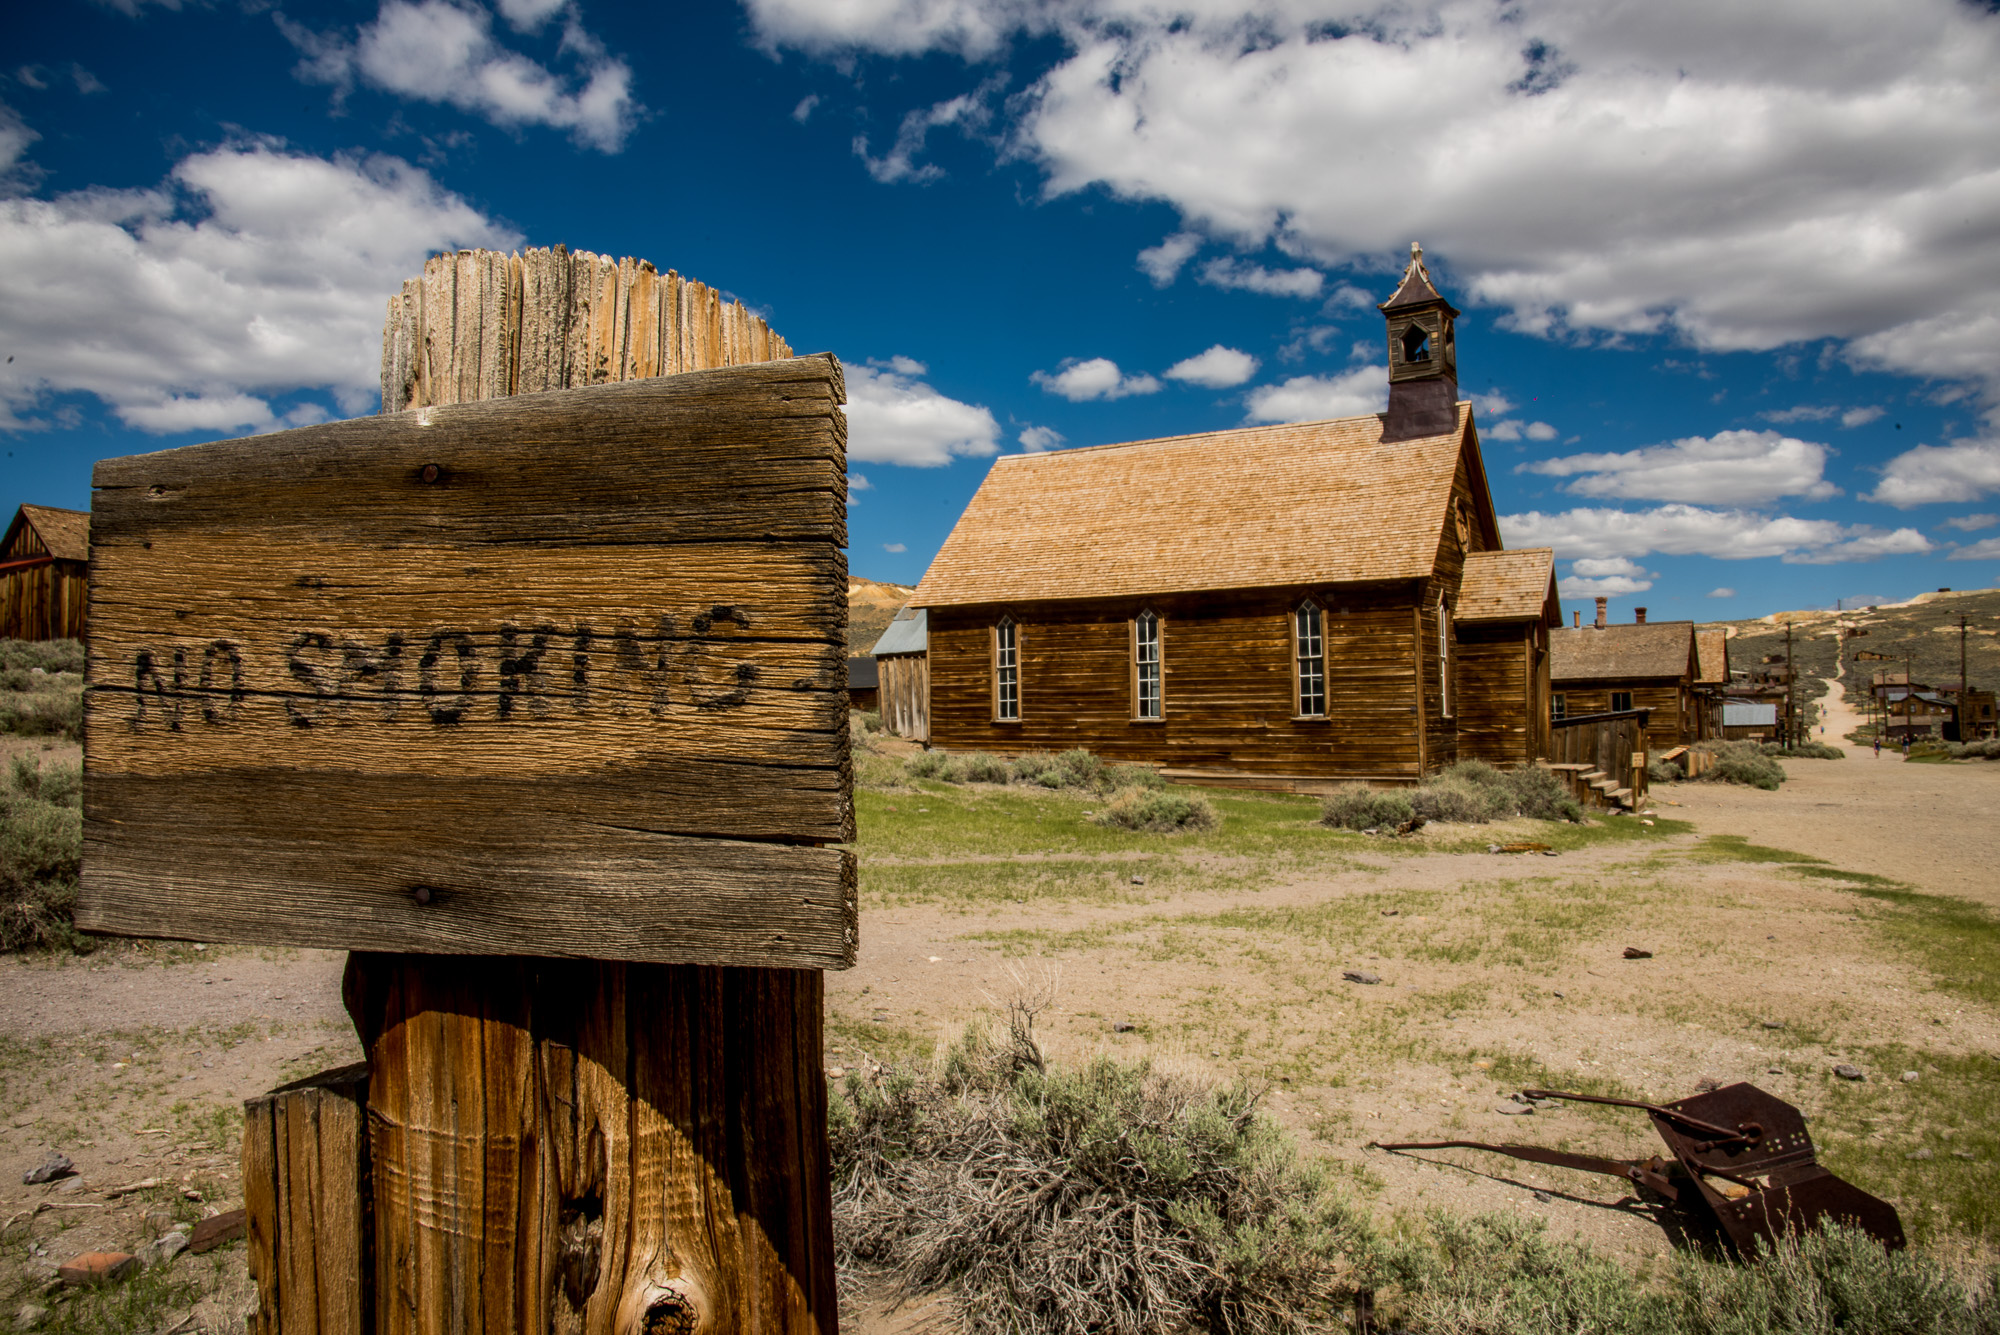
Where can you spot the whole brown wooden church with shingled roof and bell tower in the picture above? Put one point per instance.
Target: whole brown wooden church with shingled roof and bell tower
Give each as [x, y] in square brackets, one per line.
[1273, 607]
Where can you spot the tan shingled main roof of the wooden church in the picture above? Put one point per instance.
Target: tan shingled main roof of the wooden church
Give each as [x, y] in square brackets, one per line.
[1309, 503]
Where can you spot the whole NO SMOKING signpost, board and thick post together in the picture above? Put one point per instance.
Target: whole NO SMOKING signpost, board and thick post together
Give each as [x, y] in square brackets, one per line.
[533, 696]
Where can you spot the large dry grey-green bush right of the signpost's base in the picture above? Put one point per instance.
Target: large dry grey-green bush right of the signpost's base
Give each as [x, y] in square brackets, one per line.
[1115, 1198]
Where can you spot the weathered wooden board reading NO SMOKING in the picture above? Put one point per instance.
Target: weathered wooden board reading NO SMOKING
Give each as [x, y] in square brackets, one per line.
[555, 674]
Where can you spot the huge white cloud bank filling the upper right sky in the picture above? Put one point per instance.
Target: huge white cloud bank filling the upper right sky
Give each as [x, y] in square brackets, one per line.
[1735, 175]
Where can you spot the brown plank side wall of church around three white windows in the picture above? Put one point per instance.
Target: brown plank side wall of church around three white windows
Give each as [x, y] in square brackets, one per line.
[1227, 682]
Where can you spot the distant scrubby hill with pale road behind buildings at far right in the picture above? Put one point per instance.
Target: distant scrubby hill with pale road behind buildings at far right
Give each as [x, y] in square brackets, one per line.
[1923, 629]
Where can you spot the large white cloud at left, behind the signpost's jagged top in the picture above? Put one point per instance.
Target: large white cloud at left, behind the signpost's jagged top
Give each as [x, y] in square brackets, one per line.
[249, 273]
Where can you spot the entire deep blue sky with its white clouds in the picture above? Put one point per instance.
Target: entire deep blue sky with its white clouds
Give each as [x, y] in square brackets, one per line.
[1731, 273]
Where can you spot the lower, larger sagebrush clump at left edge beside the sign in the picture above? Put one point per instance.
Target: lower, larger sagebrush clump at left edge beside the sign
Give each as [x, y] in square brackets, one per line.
[41, 856]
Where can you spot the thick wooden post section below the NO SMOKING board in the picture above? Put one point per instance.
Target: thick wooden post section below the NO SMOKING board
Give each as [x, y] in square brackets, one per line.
[595, 1148]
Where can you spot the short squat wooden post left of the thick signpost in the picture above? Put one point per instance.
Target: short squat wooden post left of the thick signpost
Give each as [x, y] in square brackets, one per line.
[307, 1206]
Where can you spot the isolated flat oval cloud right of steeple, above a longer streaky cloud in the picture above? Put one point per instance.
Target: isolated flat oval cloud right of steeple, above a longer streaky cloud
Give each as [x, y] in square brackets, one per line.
[1745, 469]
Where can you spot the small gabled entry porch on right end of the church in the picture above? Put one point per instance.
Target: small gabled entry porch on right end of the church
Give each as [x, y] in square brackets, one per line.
[1507, 613]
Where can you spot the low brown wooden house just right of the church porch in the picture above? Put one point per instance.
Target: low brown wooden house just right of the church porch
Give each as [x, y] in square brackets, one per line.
[1643, 667]
